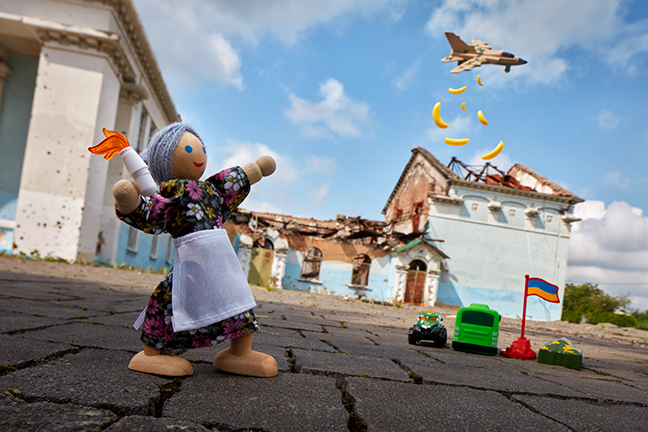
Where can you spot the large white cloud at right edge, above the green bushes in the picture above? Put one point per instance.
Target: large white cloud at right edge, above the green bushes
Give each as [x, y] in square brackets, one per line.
[610, 247]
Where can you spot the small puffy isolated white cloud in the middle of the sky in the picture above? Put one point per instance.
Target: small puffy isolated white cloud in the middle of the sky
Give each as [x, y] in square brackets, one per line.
[336, 113]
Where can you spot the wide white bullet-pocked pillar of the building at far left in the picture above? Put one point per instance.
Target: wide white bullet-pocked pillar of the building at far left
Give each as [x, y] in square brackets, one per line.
[62, 184]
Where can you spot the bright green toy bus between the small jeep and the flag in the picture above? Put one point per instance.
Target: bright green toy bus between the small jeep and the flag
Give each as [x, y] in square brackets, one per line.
[476, 330]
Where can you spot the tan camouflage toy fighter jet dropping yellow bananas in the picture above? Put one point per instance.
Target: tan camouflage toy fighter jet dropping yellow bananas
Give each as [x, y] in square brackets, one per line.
[470, 56]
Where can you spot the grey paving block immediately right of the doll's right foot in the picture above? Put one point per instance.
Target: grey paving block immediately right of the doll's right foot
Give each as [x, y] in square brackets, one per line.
[346, 364]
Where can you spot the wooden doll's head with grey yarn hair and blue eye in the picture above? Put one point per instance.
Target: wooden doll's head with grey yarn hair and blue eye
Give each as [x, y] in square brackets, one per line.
[175, 151]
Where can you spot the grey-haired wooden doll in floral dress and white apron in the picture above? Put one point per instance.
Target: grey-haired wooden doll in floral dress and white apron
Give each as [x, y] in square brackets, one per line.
[205, 299]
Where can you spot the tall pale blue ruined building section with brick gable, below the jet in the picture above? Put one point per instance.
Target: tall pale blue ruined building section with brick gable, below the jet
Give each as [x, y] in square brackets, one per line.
[495, 227]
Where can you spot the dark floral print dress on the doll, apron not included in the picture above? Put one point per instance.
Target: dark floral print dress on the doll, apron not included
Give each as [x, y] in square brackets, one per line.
[183, 207]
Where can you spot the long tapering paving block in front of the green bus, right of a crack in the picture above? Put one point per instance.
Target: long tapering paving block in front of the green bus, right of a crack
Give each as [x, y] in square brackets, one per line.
[490, 378]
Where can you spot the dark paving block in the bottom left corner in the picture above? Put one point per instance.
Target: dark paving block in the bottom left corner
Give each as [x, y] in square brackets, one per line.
[17, 415]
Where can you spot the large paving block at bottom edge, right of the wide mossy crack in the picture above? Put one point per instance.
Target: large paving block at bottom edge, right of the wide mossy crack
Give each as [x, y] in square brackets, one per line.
[414, 407]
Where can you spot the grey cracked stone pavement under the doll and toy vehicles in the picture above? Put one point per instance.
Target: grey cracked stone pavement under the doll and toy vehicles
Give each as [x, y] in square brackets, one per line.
[66, 340]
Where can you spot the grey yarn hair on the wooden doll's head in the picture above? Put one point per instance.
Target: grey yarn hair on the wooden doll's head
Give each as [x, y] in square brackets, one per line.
[159, 153]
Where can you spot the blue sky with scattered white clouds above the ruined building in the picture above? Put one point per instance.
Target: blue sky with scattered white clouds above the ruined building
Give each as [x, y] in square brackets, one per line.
[339, 92]
